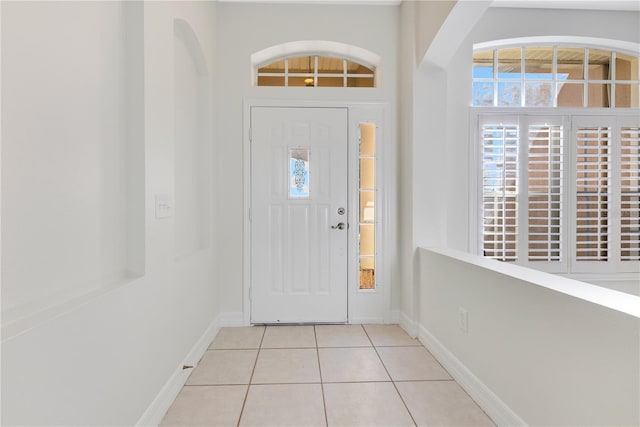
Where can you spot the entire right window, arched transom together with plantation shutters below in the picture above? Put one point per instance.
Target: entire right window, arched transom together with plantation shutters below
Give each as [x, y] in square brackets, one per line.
[559, 190]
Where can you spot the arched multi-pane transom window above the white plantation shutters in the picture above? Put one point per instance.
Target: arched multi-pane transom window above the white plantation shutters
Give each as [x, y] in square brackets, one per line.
[555, 76]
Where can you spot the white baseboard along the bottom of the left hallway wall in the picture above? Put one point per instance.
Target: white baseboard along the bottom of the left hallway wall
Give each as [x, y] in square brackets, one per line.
[158, 408]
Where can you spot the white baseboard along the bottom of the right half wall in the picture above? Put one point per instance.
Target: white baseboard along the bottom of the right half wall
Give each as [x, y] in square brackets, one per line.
[499, 412]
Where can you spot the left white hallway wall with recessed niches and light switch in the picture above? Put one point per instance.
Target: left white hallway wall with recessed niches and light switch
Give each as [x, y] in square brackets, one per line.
[103, 359]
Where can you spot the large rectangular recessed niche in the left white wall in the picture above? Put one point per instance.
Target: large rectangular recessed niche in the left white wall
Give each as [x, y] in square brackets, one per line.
[65, 210]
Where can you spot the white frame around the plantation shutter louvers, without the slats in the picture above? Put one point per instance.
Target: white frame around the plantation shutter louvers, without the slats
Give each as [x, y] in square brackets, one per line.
[571, 117]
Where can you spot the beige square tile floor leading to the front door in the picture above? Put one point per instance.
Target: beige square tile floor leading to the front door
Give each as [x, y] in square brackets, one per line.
[324, 375]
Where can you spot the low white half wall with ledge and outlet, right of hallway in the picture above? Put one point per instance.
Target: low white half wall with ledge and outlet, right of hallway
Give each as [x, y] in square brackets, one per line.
[532, 355]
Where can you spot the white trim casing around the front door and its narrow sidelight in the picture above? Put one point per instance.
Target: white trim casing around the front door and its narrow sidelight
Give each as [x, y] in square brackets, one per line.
[380, 111]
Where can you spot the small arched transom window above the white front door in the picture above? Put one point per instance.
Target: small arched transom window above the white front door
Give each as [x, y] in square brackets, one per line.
[315, 71]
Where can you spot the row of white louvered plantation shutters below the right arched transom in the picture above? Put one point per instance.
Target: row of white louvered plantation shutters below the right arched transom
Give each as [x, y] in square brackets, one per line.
[561, 193]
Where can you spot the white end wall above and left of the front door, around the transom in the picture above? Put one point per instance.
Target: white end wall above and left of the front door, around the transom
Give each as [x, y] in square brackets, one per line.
[246, 30]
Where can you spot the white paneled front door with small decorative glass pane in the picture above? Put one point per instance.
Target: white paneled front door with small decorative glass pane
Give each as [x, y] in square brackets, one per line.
[298, 215]
